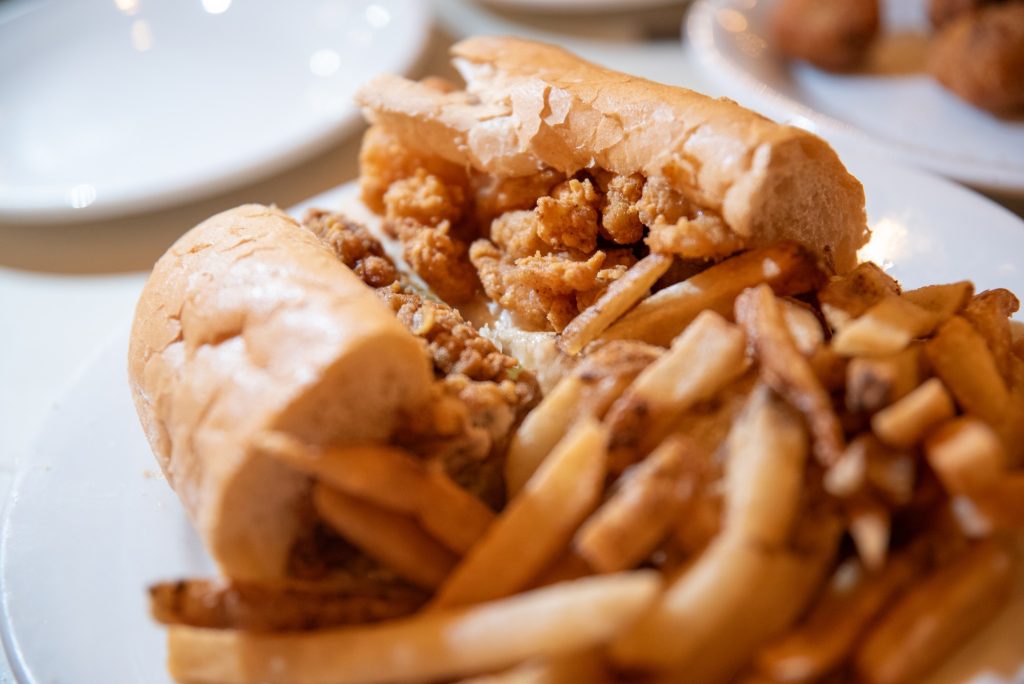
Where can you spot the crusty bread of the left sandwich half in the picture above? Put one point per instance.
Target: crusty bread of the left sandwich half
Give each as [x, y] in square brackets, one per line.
[248, 323]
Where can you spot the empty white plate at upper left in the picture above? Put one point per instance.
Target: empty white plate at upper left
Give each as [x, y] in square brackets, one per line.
[118, 106]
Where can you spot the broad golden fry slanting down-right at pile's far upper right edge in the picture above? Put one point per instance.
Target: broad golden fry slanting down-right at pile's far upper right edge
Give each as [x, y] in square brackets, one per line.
[961, 358]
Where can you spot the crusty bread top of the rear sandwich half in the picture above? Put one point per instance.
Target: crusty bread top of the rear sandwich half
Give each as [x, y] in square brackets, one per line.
[529, 106]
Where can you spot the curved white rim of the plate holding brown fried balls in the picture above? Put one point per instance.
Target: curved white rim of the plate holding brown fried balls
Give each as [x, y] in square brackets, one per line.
[700, 36]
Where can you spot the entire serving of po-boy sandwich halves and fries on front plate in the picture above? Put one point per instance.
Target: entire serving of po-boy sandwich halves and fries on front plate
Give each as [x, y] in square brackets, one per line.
[753, 458]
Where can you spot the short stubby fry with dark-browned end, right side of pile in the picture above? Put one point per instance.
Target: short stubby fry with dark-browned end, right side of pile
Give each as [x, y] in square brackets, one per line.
[874, 383]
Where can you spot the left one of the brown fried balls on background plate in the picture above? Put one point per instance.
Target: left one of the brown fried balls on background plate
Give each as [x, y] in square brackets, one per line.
[832, 34]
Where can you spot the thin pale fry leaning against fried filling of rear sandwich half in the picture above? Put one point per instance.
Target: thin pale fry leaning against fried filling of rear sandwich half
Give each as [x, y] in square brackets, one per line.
[619, 298]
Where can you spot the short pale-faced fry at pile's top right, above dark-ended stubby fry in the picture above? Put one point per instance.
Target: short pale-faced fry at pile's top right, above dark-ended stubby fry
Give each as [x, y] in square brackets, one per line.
[885, 329]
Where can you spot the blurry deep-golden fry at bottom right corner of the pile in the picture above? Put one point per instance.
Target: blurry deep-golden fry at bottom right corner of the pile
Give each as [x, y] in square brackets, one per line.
[933, 618]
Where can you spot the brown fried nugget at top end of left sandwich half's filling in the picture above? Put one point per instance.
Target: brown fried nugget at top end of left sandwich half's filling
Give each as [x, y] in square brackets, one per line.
[354, 245]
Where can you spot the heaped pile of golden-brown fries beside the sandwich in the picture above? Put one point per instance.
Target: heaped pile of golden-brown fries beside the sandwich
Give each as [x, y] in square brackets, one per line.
[791, 478]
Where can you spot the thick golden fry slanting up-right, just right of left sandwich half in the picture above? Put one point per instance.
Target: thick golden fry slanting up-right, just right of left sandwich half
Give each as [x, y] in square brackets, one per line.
[537, 525]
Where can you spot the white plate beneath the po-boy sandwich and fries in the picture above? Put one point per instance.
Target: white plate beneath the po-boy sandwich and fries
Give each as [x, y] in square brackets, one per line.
[91, 524]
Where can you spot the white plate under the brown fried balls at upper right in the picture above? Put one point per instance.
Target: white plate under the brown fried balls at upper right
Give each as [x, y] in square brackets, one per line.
[892, 106]
